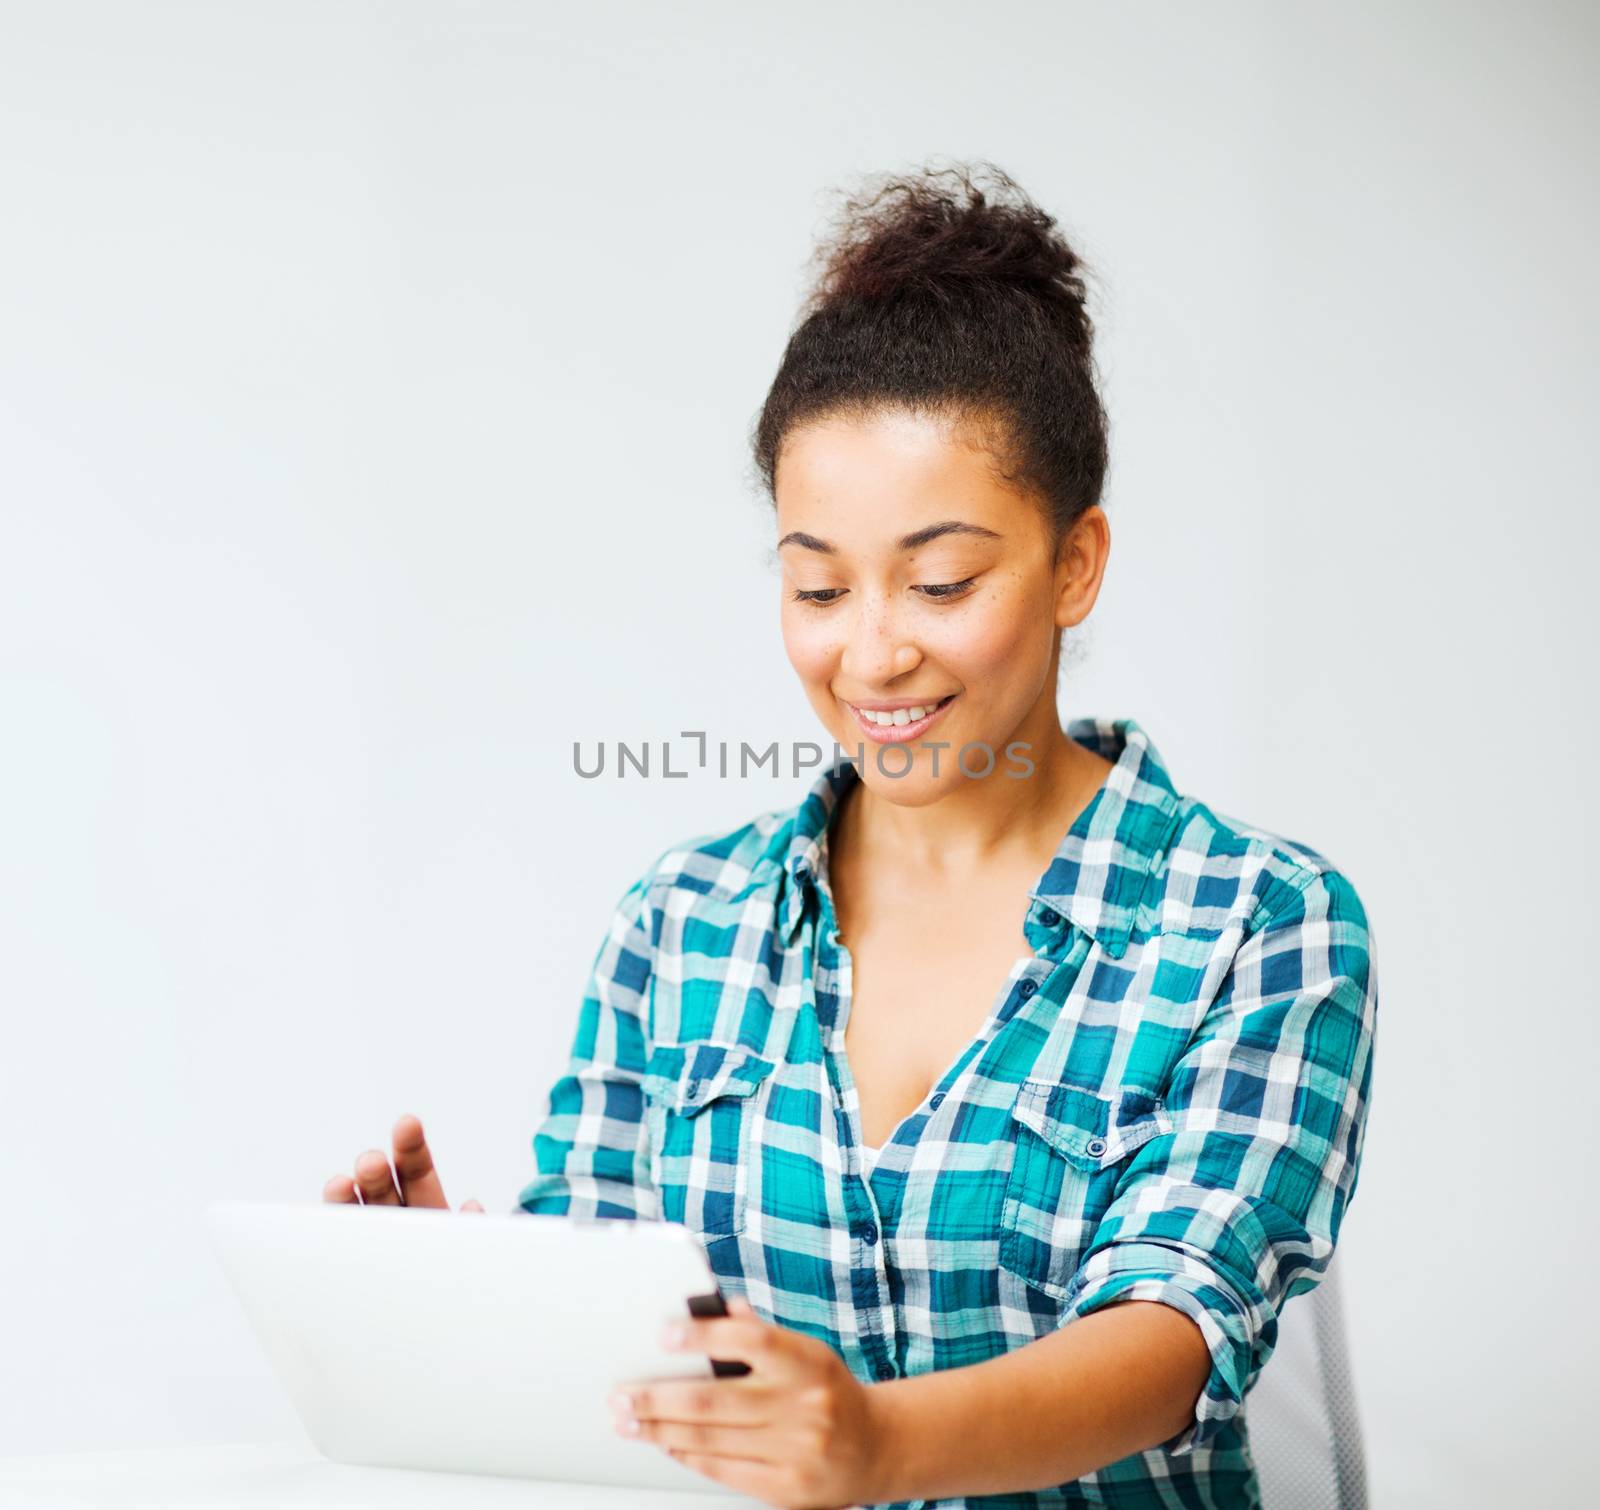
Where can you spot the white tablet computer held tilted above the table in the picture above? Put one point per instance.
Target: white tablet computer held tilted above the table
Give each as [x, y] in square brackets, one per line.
[470, 1343]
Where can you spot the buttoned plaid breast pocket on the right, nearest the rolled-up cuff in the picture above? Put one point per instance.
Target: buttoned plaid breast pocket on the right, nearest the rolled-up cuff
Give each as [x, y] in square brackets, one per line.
[1073, 1148]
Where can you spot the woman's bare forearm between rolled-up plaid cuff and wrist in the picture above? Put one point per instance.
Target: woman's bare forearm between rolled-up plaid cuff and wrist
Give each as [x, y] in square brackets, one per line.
[1110, 1384]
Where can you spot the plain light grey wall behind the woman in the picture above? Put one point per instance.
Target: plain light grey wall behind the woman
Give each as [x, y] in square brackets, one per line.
[374, 396]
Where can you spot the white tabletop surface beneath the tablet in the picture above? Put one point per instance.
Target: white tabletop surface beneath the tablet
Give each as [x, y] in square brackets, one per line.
[300, 1477]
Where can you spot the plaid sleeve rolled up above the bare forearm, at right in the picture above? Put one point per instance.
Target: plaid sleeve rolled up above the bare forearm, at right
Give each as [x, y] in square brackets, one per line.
[1238, 1207]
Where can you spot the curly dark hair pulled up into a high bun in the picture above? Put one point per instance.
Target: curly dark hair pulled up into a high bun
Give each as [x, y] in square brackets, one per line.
[951, 292]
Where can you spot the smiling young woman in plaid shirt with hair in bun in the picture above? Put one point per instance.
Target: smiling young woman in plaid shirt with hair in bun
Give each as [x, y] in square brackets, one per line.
[1010, 1092]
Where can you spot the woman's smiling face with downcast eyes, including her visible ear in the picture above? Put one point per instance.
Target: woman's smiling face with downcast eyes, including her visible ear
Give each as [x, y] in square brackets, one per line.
[916, 580]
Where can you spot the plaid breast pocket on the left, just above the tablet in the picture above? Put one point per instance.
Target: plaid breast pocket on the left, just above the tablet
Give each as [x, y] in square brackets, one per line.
[703, 1106]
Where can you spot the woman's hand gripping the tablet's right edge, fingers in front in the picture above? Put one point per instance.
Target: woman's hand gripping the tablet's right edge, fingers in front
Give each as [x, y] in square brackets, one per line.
[799, 1431]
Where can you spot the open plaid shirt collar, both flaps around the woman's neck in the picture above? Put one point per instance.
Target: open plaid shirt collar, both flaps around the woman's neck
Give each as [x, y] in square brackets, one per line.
[1098, 873]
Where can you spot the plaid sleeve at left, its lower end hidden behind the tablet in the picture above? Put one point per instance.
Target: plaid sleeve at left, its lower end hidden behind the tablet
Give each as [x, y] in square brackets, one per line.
[591, 1148]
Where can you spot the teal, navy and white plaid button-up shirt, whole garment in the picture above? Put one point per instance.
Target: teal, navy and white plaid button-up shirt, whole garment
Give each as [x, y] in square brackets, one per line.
[1167, 1103]
